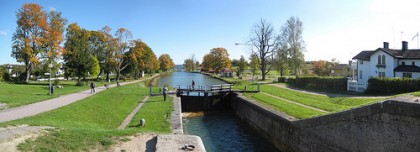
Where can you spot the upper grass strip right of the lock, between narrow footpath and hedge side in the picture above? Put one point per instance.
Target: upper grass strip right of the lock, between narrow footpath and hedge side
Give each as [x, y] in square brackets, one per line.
[331, 104]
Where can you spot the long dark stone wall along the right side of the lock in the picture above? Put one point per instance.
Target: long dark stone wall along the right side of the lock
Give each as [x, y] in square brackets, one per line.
[384, 126]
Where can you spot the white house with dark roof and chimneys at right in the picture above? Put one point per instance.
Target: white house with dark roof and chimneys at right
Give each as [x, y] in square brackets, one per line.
[386, 62]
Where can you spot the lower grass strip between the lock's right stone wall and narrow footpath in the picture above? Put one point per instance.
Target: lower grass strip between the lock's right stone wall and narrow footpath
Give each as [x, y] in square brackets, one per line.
[284, 106]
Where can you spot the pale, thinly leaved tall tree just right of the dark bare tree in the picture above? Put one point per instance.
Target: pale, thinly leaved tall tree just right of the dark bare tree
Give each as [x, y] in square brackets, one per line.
[292, 37]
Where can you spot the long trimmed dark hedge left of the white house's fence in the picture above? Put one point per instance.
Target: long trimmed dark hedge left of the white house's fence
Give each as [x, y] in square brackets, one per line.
[323, 83]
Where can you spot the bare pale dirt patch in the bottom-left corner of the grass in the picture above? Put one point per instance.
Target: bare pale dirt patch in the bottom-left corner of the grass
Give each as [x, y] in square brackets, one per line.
[12, 136]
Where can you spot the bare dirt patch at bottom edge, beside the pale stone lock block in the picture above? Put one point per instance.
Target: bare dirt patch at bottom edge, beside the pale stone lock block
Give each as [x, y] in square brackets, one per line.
[139, 142]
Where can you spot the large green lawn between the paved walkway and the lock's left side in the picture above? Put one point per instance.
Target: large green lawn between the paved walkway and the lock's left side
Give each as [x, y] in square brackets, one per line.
[92, 122]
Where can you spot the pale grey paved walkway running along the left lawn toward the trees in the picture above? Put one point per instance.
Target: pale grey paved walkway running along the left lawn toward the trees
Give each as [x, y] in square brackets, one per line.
[47, 105]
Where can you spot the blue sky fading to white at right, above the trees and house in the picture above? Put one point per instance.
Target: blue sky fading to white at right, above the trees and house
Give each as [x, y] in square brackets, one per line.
[337, 29]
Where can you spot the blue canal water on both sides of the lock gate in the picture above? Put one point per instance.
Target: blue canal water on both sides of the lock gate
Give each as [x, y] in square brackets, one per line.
[219, 130]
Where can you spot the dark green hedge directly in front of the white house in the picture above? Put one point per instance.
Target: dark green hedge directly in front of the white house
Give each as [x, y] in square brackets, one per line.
[392, 85]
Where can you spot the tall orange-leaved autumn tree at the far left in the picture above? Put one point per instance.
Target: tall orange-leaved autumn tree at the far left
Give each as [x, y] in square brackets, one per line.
[38, 36]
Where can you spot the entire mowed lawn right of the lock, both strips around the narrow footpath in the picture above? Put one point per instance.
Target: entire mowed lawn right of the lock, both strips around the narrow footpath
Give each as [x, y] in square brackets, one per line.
[330, 104]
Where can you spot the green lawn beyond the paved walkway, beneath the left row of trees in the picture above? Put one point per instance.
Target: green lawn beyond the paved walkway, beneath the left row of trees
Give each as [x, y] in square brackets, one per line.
[15, 95]
